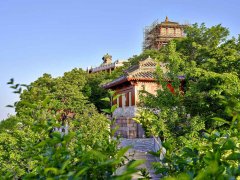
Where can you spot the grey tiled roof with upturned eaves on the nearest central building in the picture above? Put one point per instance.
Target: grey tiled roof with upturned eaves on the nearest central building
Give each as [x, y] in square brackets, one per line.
[144, 71]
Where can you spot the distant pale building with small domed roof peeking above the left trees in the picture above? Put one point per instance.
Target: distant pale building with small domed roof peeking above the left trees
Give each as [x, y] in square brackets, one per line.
[107, 65]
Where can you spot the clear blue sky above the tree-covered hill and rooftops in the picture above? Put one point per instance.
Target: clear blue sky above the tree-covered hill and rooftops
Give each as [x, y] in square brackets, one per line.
[54, 36]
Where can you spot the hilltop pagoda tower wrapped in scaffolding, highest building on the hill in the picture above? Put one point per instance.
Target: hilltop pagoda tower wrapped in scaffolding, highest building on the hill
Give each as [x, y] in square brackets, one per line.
[159, 34]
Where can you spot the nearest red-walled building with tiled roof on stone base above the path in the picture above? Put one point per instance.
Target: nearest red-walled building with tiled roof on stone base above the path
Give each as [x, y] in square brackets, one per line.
[136, 78]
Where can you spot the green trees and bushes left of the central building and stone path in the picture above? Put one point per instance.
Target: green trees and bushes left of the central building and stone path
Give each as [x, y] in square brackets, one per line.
[57, 133]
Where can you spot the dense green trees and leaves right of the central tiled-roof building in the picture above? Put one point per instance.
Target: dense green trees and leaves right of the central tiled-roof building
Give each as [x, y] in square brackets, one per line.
[198, 122]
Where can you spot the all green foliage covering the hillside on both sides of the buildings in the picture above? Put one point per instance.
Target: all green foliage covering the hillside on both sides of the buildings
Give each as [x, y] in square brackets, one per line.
[59, 133]
